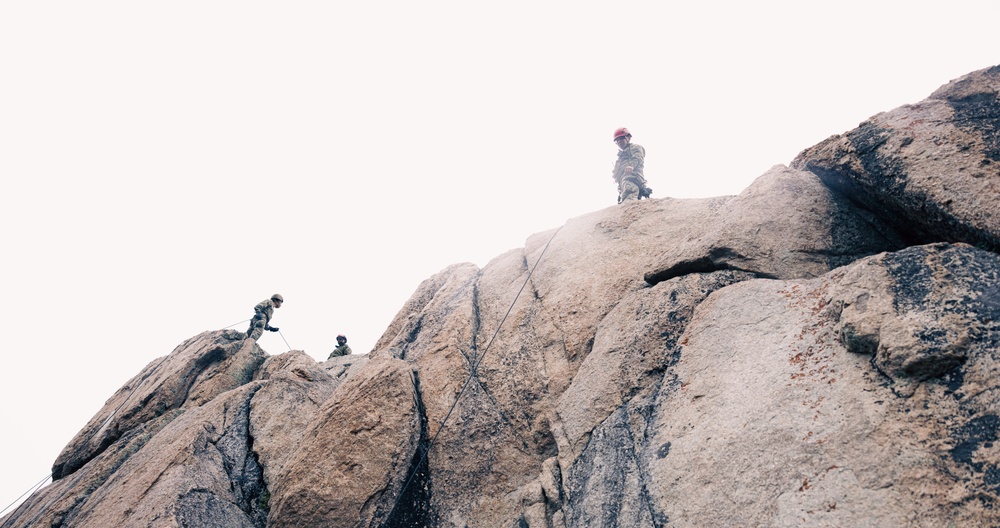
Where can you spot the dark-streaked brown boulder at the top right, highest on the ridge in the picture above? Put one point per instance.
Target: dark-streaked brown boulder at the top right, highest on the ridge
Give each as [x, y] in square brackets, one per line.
[931, 169]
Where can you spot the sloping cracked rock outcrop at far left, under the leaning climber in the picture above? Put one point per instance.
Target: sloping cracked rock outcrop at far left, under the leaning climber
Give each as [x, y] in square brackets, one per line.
[198, 435]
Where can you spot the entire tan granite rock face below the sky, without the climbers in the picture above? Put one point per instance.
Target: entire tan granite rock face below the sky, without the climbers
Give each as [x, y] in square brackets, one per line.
[821, 350]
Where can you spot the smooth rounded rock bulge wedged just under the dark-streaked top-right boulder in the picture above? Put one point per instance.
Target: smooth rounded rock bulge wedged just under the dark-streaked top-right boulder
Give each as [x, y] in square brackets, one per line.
[786, 225]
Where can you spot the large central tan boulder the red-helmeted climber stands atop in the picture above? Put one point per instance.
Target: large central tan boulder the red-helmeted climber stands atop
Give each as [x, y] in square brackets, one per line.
[531, 376]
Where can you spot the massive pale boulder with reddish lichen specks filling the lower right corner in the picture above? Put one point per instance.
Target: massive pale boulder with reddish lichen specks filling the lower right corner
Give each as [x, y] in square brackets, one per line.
[778, 424]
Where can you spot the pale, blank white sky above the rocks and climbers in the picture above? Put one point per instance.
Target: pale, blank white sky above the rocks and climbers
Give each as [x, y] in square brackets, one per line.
[167, 165]
